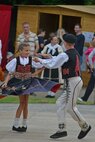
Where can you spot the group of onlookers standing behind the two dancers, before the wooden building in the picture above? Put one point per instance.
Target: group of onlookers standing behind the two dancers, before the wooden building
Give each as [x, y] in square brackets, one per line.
[53, 45]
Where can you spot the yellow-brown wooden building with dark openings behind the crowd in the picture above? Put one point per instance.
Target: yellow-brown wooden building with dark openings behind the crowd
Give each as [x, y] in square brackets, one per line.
[51, 18]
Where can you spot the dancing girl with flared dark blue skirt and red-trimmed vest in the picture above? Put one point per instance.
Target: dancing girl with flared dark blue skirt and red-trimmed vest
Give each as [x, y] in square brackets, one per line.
[21, 82]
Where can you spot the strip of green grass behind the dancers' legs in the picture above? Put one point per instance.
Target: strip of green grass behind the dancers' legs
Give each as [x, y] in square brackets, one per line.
[36, 99]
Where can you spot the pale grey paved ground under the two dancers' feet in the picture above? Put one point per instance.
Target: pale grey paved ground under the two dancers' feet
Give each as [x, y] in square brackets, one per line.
[42, 123]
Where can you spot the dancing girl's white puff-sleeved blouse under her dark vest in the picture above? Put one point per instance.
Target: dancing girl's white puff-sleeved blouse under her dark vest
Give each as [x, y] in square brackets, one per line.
[11, 66]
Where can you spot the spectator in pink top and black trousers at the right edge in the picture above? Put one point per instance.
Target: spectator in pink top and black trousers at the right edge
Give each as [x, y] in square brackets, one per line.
[90, 56]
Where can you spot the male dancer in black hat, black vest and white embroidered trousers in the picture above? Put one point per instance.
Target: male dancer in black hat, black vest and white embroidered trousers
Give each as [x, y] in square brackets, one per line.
[70, 65]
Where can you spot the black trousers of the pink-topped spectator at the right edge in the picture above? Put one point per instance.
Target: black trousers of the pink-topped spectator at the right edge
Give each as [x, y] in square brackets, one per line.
[89, 88]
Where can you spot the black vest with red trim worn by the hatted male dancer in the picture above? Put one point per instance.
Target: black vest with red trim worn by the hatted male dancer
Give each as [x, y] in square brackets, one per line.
[72, 67]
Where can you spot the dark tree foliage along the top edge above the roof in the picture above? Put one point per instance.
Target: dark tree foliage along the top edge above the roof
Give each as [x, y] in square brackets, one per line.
[48, 2]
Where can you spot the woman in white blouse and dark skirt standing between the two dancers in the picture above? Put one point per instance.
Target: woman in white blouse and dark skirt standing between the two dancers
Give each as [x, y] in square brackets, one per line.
[52, 49]
